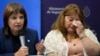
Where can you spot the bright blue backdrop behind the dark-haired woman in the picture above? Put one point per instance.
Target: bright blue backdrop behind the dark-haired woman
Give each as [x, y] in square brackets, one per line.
[32, 8]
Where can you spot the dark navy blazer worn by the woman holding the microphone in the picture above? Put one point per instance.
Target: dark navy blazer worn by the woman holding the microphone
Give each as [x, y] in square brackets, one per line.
[6, 46]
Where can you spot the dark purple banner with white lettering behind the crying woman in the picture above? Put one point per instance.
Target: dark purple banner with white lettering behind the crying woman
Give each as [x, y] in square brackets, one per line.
[51, 8]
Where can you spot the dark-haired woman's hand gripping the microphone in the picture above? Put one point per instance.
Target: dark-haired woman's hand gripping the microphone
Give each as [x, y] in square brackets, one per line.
[23, 51]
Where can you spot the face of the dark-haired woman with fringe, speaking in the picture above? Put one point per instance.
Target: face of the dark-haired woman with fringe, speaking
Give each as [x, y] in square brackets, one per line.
[16, 22]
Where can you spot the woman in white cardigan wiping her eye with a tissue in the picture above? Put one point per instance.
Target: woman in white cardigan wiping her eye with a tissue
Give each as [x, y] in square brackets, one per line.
[70, 36]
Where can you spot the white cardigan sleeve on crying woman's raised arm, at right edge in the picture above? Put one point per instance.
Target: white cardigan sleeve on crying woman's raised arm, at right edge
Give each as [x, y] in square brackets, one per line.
[91, 36]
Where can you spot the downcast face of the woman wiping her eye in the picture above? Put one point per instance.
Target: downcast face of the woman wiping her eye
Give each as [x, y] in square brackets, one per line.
[69, 20]
